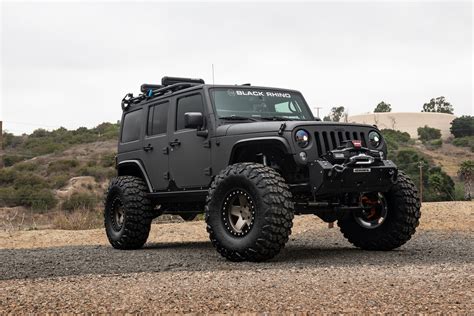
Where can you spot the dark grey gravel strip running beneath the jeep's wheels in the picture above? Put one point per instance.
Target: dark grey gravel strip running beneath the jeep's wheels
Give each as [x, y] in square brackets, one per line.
[424, 249]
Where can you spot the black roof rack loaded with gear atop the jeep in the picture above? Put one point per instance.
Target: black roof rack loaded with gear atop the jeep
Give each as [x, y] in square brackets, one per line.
[150, 91]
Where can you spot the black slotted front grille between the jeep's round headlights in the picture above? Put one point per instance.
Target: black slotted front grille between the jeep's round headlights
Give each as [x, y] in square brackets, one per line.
[330, 140]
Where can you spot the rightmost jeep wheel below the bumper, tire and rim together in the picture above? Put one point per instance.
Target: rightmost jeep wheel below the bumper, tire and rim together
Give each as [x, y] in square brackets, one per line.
[390, 220]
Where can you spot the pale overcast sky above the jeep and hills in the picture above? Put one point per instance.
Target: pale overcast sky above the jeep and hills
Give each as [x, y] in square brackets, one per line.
[70, 63]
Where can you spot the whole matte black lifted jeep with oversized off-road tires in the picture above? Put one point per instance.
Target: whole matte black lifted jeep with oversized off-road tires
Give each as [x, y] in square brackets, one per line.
[250, 158]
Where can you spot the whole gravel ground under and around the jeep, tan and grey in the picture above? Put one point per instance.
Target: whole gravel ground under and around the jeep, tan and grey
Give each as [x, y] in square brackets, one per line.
[179, 271]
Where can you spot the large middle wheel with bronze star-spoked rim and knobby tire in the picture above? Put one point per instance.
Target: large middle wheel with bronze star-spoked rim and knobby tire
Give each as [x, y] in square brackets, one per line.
[249, 212]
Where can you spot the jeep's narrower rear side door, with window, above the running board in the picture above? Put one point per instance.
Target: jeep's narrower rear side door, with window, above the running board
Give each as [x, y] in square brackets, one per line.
[155, 145]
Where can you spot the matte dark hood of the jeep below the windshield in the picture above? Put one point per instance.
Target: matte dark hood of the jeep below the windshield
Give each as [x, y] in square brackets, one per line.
[272, 126]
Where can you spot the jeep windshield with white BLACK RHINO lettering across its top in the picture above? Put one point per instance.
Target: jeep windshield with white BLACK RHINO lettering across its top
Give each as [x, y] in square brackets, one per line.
[259, 104]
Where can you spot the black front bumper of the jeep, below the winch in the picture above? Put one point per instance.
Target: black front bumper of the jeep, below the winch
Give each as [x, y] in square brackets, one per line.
[329, 179]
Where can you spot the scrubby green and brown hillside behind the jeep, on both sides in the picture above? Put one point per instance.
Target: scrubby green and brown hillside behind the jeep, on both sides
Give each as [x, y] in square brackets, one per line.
[66, 173]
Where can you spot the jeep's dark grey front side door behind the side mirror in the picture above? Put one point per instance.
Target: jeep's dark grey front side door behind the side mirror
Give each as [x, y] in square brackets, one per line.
[190, 155]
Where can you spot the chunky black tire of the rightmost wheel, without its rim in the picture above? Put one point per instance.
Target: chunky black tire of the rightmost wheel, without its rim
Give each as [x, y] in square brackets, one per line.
[401, 222]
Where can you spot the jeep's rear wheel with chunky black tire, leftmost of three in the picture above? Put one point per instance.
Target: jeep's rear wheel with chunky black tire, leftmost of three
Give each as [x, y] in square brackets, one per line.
[128, 213]
